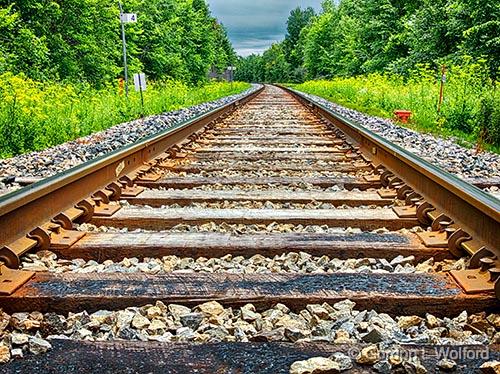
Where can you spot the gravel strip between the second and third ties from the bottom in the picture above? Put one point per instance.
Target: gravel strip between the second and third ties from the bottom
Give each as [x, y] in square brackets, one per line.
[301, 263]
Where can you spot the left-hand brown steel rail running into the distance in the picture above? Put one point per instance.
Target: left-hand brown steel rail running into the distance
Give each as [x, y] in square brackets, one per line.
[32, 206]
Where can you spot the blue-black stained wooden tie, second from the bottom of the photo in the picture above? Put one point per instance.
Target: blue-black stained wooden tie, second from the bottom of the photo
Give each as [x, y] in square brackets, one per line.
[397, 294]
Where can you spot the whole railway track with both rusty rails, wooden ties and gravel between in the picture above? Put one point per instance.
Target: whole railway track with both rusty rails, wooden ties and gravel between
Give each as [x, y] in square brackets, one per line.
[231, 243]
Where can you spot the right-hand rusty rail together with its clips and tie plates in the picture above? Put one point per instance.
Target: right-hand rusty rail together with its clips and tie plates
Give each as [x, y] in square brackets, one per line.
[464, 217]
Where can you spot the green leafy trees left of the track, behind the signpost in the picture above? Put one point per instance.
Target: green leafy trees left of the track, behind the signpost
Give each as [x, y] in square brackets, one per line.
[80, 40]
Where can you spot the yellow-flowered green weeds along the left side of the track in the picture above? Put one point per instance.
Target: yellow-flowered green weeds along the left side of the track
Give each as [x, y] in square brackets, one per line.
[36, 115]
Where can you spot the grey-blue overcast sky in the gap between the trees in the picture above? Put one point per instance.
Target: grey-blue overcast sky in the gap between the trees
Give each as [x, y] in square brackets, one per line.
[253, 25]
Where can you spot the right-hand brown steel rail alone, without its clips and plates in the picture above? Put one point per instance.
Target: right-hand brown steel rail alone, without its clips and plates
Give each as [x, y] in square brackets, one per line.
[475, 211]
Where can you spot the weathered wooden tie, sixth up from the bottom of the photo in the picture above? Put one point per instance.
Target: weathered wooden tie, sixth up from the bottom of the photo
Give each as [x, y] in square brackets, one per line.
[324, 182]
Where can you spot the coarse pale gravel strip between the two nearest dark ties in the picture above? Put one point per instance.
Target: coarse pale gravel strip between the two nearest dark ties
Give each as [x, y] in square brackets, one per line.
[340, 323]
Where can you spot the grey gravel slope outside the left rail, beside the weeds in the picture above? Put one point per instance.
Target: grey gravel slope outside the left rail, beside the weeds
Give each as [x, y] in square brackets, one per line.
[65, 156]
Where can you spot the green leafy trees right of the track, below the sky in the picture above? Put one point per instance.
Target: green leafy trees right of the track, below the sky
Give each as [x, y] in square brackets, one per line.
[354, 37]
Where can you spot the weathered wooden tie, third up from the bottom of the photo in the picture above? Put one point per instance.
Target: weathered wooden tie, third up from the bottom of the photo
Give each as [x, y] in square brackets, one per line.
[116, 246]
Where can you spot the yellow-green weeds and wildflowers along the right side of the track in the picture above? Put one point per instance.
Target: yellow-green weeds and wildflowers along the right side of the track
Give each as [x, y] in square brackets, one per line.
[470, 111]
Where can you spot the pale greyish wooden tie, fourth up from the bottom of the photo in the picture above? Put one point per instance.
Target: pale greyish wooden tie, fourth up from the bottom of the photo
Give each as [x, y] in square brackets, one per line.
[158, 219]
